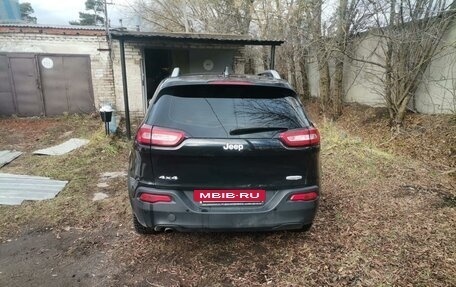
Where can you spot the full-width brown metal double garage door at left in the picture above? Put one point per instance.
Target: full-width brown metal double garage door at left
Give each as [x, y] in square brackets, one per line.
[36, 85]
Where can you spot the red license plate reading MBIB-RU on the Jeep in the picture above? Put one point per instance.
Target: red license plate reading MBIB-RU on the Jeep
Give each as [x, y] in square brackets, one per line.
[230, 197]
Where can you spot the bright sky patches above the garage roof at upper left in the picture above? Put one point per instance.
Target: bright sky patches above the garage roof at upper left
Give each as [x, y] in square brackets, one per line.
[60, 12]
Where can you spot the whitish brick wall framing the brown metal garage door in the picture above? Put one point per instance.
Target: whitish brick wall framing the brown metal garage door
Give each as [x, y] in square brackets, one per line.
[66, 41]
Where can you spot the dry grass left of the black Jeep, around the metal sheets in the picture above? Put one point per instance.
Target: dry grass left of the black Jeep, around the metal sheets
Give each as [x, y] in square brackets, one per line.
[73, 206]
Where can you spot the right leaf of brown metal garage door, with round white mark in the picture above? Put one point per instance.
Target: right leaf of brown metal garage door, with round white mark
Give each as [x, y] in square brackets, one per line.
[66, 84]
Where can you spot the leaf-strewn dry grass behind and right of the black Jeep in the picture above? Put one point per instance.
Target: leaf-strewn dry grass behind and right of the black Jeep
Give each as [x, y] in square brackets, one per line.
[382, 222]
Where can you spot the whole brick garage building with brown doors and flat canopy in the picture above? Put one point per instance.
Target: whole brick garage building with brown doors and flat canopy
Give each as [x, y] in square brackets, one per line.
[53, 70]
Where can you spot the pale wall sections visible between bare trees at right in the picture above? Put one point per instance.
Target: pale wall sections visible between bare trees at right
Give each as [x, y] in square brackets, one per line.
[436, 93]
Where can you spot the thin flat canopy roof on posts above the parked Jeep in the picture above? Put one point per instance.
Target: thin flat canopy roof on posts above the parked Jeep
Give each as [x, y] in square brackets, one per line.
[195, 37]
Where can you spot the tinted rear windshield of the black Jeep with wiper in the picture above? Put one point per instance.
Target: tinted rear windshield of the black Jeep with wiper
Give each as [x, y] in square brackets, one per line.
[228, 111]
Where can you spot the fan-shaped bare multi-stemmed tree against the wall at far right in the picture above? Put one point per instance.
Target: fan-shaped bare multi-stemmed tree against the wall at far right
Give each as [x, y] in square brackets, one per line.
[409, 35]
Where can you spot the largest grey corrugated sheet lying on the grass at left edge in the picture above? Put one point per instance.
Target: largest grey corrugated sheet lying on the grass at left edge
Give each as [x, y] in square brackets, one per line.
[16, 188]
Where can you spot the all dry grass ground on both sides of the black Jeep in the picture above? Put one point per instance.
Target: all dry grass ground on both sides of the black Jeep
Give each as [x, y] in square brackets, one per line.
[385, 219]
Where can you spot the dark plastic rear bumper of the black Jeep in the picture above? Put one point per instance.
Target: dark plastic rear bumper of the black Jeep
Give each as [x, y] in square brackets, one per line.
[183, 214]
